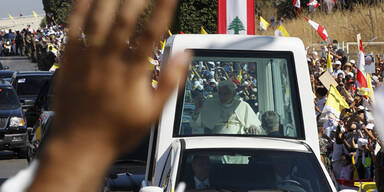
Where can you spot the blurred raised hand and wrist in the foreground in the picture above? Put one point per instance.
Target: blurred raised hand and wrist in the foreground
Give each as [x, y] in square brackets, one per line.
[104, 102]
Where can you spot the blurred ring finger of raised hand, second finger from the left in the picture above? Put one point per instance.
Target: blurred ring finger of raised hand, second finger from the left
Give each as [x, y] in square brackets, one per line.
[99, 21]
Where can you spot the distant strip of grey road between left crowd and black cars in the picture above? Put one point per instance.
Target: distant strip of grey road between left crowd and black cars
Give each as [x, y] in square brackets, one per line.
[18, 63]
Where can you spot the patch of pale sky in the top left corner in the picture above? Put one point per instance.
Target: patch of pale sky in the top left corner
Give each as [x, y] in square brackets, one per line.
[15, 7]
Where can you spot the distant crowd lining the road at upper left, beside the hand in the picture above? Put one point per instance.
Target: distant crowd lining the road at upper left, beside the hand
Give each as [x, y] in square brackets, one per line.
[43, 46]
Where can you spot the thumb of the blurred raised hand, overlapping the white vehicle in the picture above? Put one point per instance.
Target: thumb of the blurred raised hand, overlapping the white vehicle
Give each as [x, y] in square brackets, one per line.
[173, 73]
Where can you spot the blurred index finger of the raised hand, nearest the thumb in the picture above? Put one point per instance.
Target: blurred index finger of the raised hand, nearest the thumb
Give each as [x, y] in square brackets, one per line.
[155, 28]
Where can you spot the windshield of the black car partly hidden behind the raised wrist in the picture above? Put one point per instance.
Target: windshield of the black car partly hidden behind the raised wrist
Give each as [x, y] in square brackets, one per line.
[27, 86]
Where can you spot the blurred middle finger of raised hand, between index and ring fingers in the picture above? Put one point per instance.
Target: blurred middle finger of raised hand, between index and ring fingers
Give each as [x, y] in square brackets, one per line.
[125, 24]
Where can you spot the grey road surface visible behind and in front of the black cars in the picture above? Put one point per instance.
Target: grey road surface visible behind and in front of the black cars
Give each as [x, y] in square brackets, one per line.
[9, 164]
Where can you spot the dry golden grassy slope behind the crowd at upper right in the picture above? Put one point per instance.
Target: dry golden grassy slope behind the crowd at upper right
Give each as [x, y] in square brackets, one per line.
[340, 25]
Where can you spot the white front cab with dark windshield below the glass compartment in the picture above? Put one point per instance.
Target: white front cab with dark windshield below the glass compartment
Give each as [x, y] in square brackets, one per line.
[227, 164]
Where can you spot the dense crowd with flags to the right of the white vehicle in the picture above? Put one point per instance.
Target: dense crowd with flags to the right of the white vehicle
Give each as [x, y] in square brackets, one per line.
[349, 142]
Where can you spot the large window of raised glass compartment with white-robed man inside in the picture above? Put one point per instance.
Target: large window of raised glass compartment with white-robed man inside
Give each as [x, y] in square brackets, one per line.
[240, 93]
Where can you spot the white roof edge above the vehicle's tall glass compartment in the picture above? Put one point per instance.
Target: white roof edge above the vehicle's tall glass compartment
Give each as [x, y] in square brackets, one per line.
[236, 42]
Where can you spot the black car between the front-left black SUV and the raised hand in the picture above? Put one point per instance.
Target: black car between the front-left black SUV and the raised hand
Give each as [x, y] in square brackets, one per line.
[28, 86]
